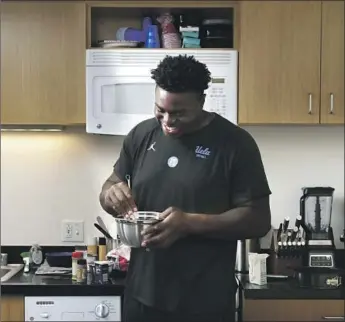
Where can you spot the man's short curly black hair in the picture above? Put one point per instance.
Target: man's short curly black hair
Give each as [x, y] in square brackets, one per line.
[181, 74]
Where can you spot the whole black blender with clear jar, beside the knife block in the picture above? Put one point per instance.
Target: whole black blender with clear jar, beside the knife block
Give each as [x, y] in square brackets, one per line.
[316, 211]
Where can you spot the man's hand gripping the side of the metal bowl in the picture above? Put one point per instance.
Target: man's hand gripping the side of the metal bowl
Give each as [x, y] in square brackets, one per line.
[172, 227]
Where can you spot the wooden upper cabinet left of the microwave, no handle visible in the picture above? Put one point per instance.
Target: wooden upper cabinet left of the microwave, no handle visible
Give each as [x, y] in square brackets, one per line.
[43, 63]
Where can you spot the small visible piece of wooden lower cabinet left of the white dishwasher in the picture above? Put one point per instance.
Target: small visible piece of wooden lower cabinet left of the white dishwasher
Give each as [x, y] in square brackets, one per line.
[12, 308]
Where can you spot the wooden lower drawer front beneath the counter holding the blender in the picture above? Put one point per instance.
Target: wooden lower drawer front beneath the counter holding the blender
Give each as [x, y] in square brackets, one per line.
[294, 310]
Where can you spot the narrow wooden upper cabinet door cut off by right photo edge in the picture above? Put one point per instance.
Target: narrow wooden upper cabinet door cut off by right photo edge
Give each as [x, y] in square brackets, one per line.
[332, 63]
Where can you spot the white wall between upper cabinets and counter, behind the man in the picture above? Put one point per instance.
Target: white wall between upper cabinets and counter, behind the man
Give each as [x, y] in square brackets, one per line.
[48, 177]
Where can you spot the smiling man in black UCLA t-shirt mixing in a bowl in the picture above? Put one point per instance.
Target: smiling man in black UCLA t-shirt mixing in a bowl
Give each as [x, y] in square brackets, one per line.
[206, 178]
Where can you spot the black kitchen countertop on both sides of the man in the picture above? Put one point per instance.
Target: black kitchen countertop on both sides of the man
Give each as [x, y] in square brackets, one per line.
[33, 285]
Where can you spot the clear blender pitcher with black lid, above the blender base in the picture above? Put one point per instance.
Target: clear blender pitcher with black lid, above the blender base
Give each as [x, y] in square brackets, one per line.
[316, 211]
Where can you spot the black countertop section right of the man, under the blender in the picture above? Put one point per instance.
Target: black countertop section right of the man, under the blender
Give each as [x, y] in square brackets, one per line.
[286, 289]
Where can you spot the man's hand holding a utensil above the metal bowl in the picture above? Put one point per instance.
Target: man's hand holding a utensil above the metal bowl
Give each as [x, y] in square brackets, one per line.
[119, 198]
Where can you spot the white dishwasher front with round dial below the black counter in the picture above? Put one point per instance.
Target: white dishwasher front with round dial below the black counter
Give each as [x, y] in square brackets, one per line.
[73, 308]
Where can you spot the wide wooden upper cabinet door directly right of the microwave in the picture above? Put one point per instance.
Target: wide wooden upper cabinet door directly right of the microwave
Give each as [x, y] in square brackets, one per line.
[279, 62]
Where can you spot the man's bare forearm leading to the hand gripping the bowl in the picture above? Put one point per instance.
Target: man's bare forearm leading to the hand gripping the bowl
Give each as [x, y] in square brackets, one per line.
[238, 223]
